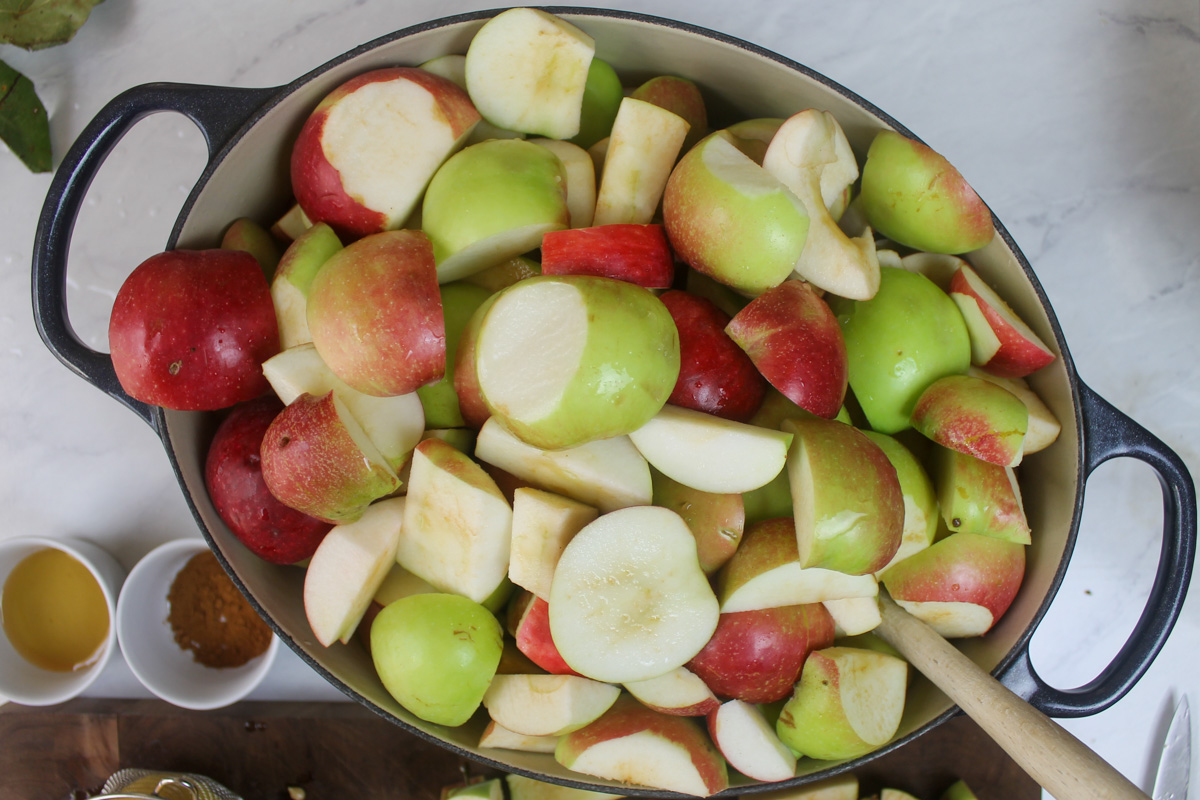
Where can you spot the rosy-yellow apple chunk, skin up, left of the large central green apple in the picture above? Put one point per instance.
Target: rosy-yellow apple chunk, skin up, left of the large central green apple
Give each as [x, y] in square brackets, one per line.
[375, 314]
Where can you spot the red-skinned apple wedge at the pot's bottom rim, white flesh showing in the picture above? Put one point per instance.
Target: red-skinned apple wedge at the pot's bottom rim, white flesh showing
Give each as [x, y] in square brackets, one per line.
[634, 744]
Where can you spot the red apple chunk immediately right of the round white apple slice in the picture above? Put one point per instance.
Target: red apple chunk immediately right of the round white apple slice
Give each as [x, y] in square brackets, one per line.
[757, 657]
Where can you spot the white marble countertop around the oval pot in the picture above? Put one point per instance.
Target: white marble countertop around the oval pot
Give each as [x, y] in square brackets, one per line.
[1076, 121]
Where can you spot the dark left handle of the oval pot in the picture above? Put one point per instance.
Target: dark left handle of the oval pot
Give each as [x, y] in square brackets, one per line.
[219, 112]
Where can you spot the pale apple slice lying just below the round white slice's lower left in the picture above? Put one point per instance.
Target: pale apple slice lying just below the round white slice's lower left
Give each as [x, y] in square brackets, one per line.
[548, 706]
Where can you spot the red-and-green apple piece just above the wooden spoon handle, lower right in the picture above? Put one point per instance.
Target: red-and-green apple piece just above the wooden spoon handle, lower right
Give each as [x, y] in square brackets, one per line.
[962, 568]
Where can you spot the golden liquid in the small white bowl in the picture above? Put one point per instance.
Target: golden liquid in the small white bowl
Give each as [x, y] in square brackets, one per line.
[55, 612]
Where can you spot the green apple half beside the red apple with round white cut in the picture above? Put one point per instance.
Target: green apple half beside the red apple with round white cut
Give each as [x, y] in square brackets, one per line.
[491, 202]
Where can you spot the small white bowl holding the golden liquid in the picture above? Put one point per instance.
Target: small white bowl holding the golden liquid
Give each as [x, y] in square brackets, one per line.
[21, 681]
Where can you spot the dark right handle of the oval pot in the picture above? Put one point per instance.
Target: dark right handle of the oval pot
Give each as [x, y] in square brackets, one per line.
[1109, 434]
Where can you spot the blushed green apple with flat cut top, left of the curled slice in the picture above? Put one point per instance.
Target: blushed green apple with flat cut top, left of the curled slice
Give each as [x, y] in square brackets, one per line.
[727, 218]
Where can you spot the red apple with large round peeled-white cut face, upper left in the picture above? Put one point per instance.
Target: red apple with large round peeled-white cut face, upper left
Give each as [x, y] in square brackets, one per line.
[368, 152]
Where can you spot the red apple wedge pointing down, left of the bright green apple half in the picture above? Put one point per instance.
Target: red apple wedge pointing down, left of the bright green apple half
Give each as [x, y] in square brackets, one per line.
[795, 341]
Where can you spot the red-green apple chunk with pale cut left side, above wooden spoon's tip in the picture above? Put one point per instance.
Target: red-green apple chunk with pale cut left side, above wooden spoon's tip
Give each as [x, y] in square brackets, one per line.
[847, 496]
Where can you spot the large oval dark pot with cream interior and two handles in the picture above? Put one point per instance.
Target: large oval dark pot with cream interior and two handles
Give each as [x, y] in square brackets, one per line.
[250, 134]
